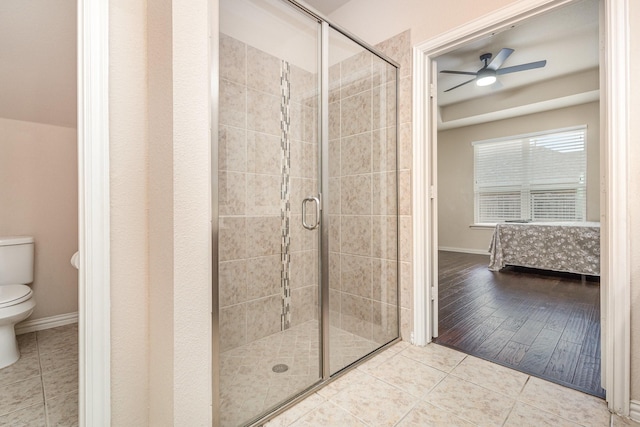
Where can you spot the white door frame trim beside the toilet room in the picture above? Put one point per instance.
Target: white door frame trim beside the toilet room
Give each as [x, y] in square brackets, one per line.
[93, 214]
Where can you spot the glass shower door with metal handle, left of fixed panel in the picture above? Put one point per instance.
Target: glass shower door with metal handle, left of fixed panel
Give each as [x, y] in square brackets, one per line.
[268, 155]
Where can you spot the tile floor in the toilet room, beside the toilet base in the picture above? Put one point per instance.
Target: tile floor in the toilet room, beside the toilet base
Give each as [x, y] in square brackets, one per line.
[41, 389]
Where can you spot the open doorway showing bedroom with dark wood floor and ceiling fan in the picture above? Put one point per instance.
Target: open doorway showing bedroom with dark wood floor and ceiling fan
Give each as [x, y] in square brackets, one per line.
[543, 324]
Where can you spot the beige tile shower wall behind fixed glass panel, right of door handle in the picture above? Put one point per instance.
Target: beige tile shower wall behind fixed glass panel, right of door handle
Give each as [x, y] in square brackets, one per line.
[363, 198]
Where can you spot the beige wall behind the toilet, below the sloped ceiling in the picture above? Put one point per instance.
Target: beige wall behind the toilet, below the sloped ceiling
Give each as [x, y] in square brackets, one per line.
[39, 194]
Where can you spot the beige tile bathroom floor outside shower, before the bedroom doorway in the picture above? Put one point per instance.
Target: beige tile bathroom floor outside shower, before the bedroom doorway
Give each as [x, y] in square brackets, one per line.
[437, 386]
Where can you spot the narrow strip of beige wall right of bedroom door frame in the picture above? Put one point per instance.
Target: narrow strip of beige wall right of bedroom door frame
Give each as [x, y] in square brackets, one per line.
[634, 191]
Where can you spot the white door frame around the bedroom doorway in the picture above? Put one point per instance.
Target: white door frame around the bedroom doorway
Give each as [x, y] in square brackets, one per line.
[615, 262]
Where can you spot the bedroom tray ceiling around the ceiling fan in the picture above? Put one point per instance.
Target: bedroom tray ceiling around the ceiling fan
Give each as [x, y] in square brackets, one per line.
[567, 38]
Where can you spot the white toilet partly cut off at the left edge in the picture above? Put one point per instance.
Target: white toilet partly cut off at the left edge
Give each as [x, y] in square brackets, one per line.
[16, 302]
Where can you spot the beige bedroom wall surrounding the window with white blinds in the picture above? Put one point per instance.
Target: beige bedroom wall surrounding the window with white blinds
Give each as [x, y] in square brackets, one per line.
[455, 169]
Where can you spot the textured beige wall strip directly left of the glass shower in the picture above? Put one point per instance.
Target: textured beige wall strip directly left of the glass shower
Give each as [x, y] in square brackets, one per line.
[192, 215]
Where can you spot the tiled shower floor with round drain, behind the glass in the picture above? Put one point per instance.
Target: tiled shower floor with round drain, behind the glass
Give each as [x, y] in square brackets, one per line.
[248, 385]
